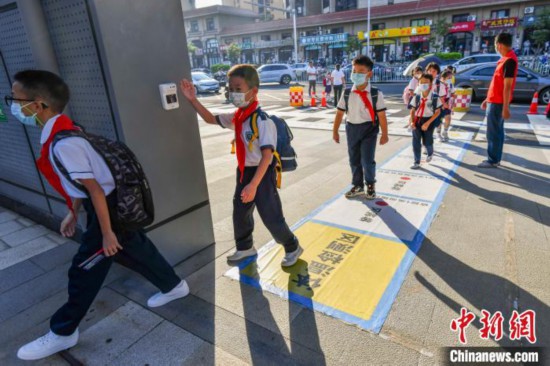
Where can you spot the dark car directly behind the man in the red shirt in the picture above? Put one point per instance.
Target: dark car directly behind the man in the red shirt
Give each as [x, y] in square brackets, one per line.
[478, 78]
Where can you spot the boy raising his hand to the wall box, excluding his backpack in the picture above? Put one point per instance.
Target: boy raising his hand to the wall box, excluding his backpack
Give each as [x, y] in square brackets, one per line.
[256, 175]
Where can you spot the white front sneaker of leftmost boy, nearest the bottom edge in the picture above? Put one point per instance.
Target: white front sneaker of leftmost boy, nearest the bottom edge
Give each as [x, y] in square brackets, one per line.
[47, 345]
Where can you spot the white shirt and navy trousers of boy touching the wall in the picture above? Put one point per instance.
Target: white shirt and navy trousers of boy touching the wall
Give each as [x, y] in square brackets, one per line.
[267, 198]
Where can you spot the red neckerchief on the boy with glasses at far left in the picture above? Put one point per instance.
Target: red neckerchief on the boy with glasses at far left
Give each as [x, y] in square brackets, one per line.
[44, 164]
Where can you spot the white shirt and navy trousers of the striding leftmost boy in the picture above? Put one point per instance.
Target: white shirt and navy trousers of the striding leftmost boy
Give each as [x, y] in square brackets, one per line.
[139, 254]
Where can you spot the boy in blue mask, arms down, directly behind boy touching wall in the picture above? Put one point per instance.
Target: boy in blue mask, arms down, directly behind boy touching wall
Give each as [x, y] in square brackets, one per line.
[365, 113]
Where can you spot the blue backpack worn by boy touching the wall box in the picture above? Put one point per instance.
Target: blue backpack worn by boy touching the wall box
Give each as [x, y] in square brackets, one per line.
[284, 152]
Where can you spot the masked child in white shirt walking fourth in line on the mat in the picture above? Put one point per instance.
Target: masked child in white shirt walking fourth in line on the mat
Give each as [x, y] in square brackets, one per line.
[425, 110]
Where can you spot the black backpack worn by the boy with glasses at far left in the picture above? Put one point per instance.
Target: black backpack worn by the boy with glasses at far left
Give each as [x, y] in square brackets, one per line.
[134, 208]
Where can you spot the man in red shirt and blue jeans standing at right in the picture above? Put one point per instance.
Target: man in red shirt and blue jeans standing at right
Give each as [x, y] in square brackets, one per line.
[498, 99]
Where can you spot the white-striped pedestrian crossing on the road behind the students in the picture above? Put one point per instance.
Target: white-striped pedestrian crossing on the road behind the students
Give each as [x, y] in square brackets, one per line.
[322, 119]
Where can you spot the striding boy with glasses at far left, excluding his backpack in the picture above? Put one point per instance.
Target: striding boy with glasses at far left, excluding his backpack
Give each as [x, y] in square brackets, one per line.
[38, 99]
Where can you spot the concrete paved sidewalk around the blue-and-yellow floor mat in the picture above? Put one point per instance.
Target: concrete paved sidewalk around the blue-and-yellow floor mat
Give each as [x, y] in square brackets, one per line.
[488, 248]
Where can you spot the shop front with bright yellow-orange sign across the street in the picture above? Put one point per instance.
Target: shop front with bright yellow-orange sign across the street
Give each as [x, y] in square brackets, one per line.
[414, 41]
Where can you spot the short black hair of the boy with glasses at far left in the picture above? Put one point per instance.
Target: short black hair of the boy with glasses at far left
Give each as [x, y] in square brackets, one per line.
[44, 85]
